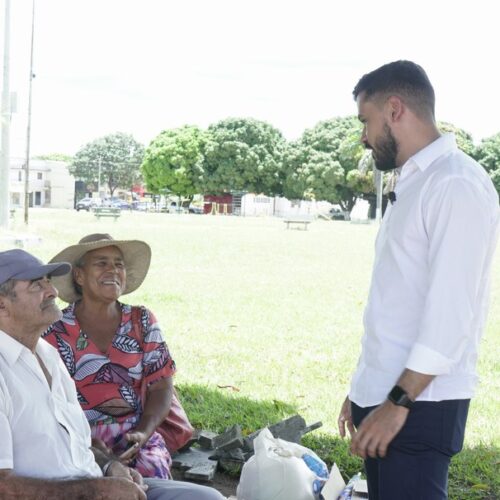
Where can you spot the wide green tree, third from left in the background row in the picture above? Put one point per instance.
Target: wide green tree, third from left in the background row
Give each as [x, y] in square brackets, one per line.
[243, 154]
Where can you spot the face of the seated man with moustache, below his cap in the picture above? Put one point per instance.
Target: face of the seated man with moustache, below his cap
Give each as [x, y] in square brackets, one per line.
[32, 305]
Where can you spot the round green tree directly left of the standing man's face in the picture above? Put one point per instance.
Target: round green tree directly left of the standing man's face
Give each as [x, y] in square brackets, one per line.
[319, 164]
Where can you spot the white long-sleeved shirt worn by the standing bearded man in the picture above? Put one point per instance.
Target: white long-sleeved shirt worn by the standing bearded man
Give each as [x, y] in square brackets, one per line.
[428, 298]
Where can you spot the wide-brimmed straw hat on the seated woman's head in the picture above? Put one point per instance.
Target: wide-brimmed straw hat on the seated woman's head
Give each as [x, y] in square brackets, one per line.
[136, 255]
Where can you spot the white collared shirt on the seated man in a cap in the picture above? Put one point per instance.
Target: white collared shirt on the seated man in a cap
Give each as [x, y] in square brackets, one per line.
[43, 430]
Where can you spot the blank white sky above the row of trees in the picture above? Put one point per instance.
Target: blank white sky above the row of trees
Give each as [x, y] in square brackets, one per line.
[143, 66]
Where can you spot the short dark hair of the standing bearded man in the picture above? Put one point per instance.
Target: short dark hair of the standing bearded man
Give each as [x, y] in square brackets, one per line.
[405, 79]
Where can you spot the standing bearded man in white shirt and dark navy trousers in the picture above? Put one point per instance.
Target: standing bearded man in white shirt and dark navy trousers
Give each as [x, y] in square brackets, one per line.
[409, 396]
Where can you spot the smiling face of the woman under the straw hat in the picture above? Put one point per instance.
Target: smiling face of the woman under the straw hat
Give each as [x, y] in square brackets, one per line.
[103, 276]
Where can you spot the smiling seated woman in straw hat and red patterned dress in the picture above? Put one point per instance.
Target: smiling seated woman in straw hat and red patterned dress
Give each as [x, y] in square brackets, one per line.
[114, 351]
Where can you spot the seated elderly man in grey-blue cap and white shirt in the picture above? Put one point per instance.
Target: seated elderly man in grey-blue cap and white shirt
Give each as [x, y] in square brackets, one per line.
[45, 450]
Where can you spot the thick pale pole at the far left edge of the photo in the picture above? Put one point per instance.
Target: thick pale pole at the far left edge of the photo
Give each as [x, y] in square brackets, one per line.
[5, 122]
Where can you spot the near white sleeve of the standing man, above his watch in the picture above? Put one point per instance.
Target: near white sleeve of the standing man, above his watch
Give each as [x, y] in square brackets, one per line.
[458, 225]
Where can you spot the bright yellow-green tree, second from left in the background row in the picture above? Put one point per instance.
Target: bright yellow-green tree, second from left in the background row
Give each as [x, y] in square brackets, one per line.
[173, 161]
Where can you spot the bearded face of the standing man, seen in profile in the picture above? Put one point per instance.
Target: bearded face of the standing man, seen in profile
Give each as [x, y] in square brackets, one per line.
[377, 135]
